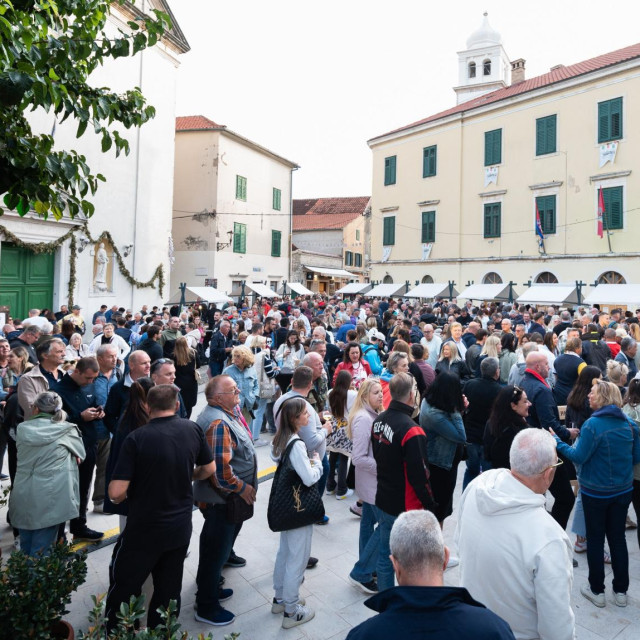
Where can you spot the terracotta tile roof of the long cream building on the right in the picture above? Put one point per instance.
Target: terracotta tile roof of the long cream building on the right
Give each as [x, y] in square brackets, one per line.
[556, 75]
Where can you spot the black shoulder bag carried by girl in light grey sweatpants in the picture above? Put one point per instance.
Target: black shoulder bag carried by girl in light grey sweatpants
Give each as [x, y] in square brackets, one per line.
[291, 503]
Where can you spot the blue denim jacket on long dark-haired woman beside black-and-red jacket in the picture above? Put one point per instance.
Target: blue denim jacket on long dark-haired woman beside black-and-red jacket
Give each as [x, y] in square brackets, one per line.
[445, 431]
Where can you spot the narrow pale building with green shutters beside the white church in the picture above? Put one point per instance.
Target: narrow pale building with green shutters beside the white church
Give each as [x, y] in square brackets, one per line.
[231, 209]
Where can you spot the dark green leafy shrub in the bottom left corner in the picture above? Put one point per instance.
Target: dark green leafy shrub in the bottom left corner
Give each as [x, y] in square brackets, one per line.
[34, 592]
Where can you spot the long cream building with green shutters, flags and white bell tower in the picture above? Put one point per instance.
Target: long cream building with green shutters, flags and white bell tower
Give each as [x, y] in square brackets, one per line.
[457, 196]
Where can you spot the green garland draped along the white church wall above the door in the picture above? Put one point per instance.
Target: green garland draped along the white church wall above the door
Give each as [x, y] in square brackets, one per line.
[50, 247]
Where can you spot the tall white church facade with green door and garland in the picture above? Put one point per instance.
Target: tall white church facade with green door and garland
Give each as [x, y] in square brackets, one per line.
[132, 218]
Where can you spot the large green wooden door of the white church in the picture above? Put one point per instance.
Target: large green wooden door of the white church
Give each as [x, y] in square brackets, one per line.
[26, 280]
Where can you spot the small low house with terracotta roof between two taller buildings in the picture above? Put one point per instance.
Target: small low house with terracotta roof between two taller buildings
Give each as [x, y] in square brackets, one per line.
[331, 237]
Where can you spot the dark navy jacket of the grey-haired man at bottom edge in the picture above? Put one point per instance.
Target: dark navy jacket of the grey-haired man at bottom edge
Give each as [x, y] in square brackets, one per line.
[433, 613]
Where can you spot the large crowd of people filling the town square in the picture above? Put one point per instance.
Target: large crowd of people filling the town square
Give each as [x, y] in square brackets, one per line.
[377, 400]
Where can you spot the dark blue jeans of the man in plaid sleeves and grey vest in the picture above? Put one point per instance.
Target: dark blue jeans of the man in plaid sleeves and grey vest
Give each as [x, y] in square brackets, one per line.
[216, 541]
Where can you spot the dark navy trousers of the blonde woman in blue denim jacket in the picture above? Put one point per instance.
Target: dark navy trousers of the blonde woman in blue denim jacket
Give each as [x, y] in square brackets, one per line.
[607, 516]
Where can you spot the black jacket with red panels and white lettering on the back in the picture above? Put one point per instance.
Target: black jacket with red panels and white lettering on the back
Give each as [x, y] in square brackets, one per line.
[400, 450]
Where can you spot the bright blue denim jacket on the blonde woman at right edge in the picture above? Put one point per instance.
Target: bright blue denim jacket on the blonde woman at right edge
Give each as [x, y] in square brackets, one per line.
[607, 449]
